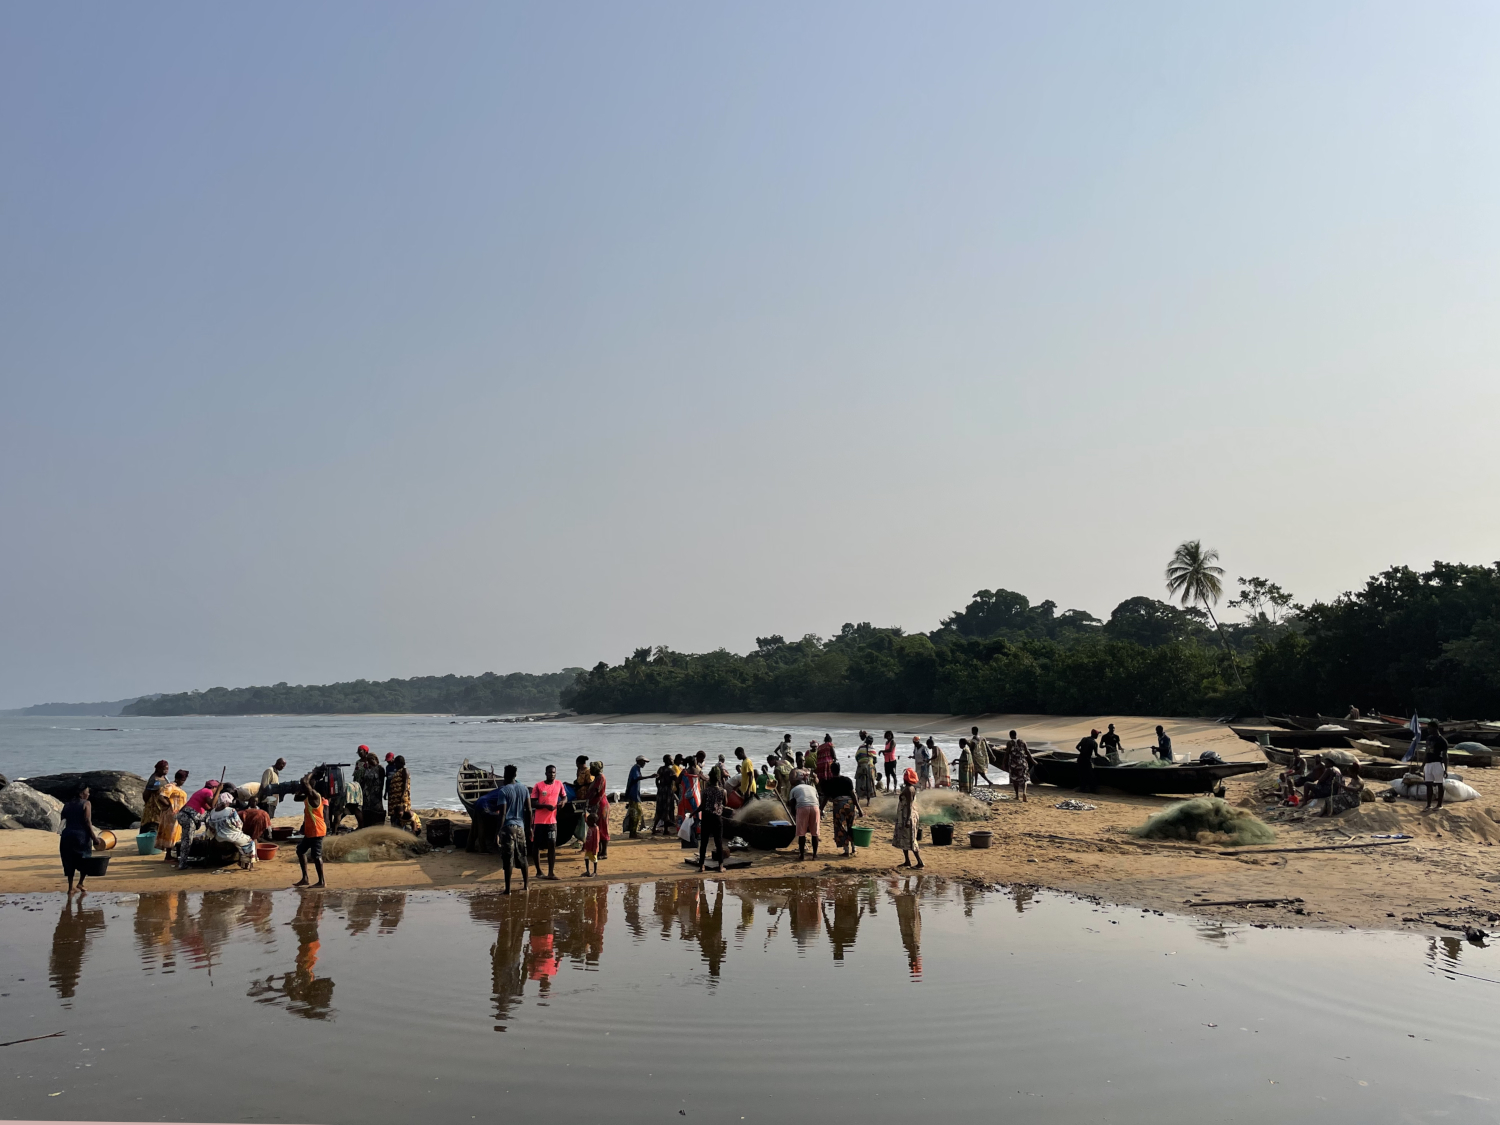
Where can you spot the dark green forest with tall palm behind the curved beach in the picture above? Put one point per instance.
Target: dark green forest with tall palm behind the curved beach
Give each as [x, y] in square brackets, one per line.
[1426, 641]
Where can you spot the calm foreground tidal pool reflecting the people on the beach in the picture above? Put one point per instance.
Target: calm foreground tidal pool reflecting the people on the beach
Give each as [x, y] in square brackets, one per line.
[862, 1000]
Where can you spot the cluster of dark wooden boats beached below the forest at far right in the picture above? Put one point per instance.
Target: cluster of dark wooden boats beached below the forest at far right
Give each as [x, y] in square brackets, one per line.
[1378, 743]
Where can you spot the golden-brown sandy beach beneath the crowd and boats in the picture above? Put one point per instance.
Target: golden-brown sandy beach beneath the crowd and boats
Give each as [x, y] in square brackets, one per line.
[1441, 880]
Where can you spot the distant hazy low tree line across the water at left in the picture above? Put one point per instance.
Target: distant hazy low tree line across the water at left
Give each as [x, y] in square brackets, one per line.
[484, 695]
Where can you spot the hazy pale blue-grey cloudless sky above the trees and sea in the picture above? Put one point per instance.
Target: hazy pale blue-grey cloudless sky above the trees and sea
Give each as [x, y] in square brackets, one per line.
[359, 340]
